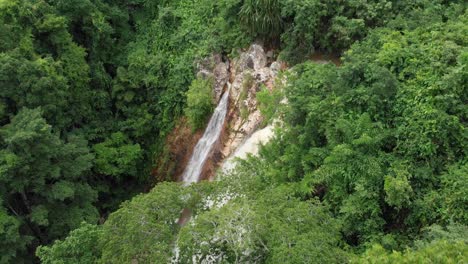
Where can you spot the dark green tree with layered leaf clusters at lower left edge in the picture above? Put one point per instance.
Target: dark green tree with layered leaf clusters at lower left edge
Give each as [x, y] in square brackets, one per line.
[57, 198]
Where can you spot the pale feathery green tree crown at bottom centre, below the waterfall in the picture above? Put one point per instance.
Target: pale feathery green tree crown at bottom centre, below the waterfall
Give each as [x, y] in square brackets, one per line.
[268, 226]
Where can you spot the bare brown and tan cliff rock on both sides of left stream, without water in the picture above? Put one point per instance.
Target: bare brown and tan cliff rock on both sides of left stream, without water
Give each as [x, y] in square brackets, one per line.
[254, 69]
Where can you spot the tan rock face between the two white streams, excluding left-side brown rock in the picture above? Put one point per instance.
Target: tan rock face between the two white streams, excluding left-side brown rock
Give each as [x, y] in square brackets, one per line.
[253, 70]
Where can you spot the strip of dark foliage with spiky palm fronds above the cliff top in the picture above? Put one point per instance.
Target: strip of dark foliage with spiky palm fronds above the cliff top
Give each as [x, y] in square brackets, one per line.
[304, 27]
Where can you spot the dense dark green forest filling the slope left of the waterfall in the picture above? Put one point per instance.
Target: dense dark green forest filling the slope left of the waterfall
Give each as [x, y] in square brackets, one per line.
[105, 81]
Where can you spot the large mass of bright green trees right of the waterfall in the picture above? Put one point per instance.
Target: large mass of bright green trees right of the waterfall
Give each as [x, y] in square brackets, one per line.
[374, 137]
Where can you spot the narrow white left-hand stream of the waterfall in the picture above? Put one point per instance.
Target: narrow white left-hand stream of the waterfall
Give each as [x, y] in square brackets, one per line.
[205, 144]
